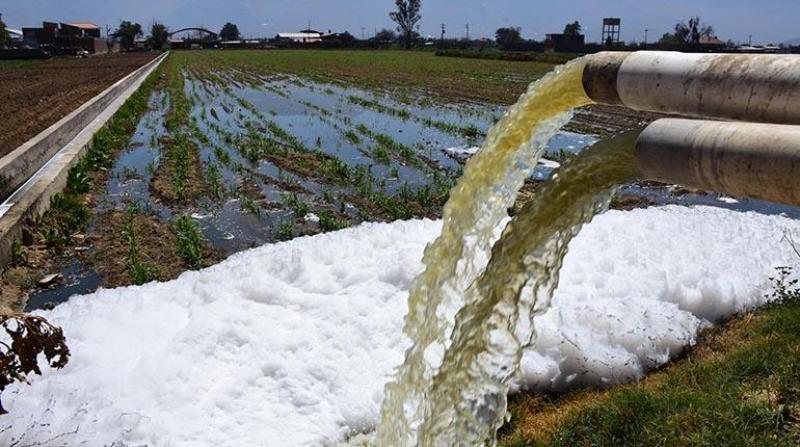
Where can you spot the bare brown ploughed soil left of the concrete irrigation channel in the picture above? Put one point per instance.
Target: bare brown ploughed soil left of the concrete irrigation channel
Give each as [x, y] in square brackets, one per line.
[33, 98]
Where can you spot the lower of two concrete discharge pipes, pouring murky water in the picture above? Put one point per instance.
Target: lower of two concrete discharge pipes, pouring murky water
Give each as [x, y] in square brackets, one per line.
[760, 161]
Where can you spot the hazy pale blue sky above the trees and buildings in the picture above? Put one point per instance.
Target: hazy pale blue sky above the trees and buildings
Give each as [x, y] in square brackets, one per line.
[768, 21]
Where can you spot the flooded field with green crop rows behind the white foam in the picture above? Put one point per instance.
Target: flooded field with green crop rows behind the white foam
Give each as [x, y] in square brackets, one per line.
[226, 154]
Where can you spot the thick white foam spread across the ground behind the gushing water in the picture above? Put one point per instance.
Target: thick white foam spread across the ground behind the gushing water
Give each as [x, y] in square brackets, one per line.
[290, 344]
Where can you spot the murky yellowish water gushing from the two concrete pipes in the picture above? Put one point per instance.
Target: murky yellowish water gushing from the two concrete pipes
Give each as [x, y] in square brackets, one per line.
[464, 313]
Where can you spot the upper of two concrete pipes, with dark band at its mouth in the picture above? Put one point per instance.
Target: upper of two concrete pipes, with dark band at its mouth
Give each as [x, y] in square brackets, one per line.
[746, 87]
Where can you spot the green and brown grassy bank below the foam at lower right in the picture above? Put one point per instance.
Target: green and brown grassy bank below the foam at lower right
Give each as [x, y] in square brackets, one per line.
[739, 387]
